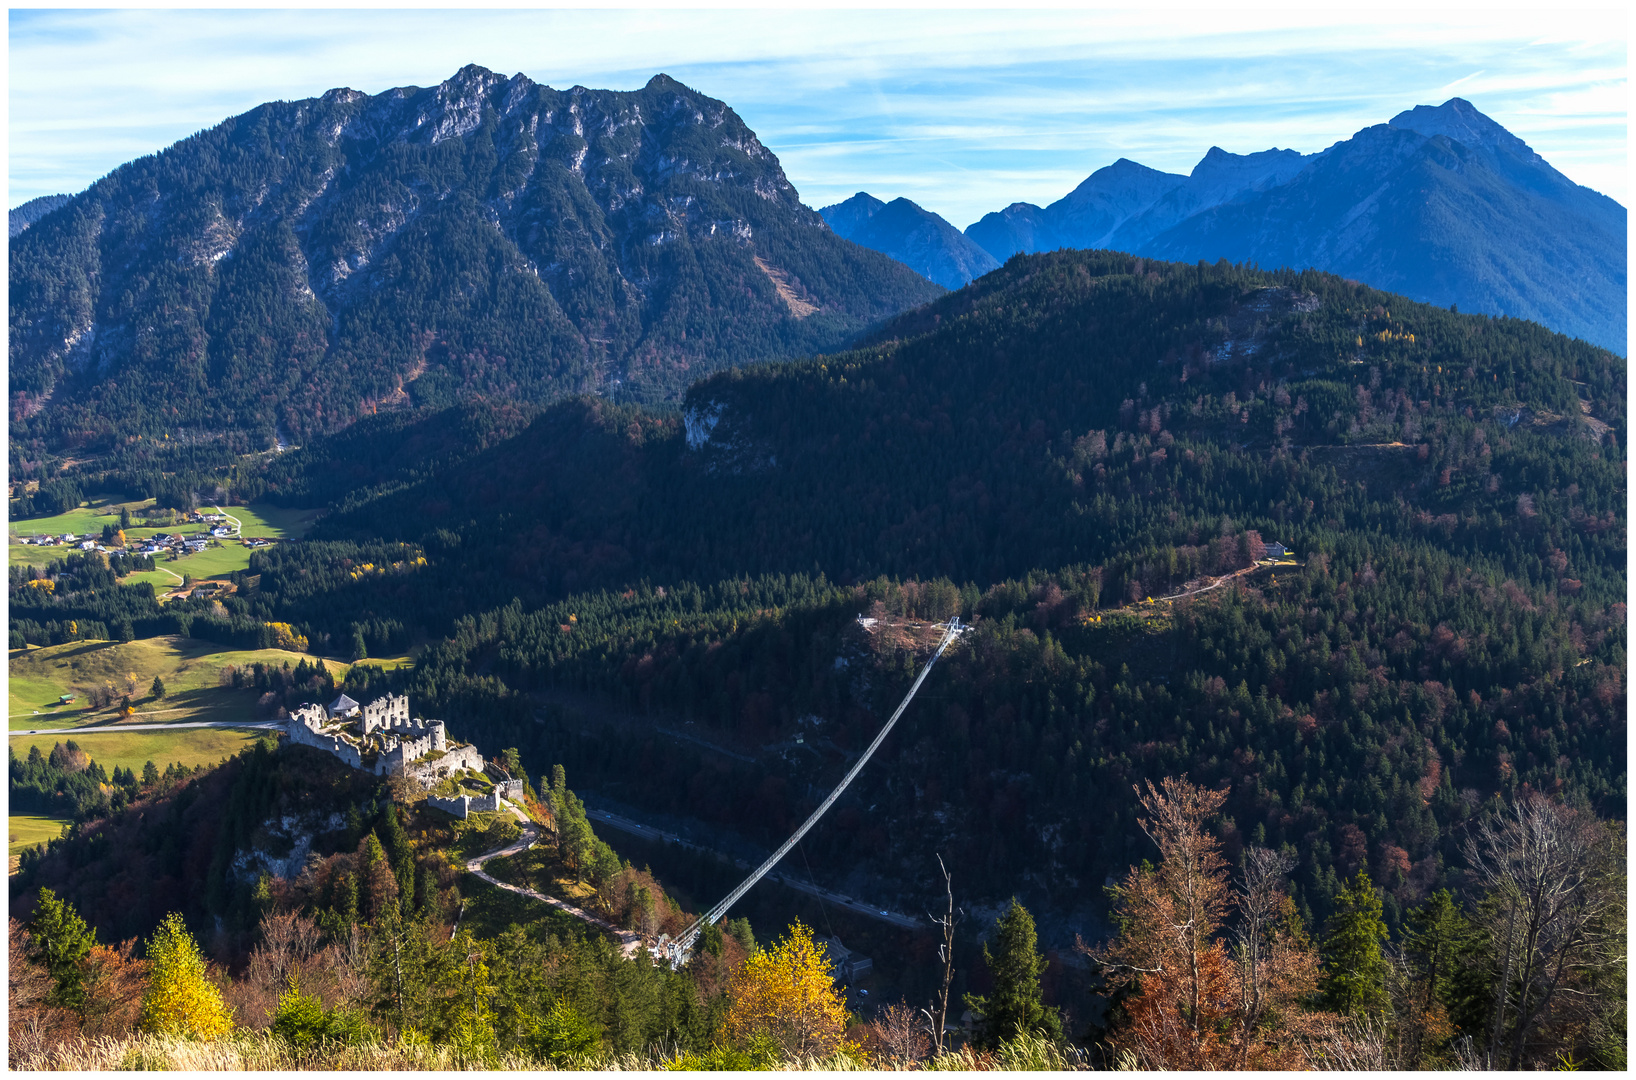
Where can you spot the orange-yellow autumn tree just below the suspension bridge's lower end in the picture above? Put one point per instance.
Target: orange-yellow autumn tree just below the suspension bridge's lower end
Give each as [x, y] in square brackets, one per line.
[786, 994]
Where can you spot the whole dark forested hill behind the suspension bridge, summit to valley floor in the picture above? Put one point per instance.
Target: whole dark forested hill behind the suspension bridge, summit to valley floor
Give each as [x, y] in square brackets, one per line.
[1066, 438]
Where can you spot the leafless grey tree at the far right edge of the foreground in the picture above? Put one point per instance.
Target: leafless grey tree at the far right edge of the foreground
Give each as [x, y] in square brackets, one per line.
[1555, 888]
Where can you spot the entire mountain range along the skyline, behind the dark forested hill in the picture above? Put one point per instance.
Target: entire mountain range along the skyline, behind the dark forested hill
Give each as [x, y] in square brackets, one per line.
[493, 240]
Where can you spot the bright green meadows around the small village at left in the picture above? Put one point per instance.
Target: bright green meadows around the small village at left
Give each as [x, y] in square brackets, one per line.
[256, 521]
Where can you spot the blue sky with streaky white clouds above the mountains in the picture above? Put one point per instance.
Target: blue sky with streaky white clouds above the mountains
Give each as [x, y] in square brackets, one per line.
[963, 110]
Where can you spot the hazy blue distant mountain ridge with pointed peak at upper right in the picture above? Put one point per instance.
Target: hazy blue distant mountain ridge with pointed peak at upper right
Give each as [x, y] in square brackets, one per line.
[1442, 205]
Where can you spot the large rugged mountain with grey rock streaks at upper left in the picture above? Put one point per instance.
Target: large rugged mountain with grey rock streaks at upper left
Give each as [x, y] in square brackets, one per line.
[487, 238]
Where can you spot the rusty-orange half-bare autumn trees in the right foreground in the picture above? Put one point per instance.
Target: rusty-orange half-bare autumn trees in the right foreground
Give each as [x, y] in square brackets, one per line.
[1202, 1004]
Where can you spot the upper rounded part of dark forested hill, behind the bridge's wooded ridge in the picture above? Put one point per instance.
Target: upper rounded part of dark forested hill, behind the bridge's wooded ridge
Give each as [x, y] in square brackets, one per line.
[1069, 408]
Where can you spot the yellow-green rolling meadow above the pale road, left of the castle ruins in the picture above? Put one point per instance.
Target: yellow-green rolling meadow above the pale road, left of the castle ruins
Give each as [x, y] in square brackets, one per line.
[192, 672]
